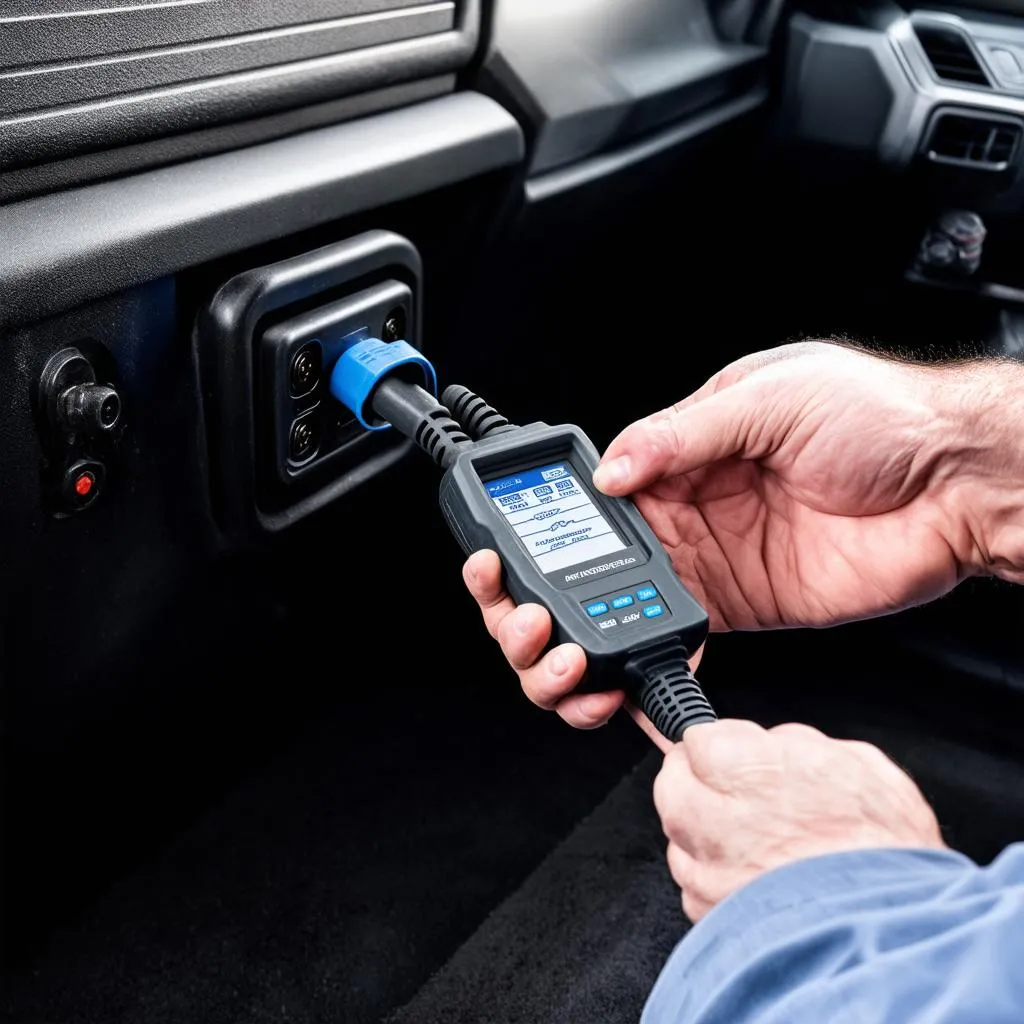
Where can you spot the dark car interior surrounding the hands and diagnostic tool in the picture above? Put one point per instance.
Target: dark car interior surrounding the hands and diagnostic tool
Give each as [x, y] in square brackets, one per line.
[262, 760]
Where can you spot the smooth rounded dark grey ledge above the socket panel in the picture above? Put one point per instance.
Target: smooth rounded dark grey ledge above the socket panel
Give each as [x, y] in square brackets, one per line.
[64, 249]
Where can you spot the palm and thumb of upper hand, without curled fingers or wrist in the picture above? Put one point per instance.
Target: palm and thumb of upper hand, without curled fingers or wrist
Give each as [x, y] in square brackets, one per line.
[806, 486]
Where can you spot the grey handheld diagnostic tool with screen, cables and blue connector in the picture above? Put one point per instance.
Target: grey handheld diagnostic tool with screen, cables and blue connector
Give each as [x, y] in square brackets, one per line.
[526, 493]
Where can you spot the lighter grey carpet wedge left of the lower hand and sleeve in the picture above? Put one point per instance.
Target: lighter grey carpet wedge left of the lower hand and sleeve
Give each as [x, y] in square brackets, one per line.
[585, 937]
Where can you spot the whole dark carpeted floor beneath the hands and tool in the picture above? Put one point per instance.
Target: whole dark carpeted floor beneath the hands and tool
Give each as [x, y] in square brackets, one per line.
[435, 861]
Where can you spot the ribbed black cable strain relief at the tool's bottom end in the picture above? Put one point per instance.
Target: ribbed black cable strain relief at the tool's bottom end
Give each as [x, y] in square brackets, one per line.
[664, 689]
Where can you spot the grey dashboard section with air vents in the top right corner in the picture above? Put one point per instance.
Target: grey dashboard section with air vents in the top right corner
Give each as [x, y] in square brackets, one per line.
[927, 86]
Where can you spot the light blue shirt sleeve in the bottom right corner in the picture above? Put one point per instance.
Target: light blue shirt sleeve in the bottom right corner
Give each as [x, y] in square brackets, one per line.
[902, 936]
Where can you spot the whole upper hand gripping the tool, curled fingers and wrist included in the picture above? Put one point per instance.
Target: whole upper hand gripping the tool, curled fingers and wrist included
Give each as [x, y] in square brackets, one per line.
[806, 486]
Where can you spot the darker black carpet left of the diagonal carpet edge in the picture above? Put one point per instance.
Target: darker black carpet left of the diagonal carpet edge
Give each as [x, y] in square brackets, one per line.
[332, 885]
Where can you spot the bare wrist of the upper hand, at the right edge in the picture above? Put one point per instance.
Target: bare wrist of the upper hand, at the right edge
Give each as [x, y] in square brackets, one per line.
[980, 478]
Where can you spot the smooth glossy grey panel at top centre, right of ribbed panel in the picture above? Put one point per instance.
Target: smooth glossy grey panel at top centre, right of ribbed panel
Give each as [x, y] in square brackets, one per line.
[593, 77]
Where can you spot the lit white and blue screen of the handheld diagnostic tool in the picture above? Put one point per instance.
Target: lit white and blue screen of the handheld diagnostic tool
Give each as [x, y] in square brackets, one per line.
[554, 518]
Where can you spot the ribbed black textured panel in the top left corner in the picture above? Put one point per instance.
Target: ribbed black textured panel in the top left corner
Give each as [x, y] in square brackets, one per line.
[79, 76]
